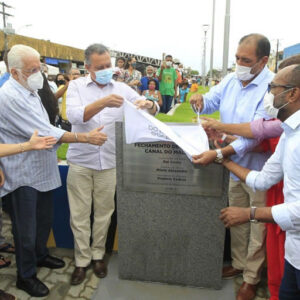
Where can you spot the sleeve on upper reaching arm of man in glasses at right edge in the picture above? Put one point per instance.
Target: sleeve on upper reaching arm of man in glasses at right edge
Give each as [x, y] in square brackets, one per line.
[271, 173]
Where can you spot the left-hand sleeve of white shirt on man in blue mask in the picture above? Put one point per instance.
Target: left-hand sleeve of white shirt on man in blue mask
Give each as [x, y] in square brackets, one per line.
[75, 107]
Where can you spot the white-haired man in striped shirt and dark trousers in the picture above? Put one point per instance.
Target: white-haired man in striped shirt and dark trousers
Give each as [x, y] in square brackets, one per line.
[31, 176]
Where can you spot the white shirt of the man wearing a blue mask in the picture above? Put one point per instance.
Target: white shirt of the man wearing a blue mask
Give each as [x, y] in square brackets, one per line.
[82, 92]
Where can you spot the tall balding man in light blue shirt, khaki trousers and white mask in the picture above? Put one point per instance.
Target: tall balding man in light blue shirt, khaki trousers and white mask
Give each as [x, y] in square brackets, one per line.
[239, 98]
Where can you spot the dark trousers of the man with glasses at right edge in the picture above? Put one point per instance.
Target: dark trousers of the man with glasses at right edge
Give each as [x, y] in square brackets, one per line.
[290, 284]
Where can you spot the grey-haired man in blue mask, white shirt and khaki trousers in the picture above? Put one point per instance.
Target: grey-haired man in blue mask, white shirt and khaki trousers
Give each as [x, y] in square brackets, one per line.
[95, 100]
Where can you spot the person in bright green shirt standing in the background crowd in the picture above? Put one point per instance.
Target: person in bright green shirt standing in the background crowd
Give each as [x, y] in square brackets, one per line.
[167, 76]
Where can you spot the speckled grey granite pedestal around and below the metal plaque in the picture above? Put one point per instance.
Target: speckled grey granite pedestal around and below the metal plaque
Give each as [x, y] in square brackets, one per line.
[170, 238]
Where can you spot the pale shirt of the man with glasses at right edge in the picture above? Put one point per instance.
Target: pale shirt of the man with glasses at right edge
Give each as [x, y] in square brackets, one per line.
[285, 163]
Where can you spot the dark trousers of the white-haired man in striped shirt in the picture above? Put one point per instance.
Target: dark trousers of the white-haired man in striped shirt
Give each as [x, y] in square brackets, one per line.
[31, 214]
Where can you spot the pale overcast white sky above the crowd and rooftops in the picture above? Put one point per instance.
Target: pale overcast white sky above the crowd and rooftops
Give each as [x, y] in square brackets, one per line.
[151, 28]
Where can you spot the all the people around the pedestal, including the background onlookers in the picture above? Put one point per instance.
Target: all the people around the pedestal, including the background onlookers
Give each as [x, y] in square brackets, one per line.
[260, 115]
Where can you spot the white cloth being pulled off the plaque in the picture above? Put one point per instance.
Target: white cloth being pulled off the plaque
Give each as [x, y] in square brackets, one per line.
[143, 127]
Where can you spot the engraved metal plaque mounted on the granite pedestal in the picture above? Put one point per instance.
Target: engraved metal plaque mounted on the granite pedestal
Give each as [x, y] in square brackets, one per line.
[163, 167]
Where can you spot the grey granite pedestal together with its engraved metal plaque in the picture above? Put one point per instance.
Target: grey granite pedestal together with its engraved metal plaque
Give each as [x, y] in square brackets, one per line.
[169, 230]
